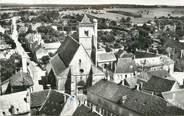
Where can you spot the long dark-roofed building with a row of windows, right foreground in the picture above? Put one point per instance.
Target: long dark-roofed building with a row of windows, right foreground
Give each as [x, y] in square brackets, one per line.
[108, 98]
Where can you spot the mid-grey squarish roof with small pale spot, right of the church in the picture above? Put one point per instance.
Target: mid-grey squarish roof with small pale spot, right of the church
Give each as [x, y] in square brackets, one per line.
[125, 65]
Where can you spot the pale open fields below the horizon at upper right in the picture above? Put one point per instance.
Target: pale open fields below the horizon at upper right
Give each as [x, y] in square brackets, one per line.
[146, 13]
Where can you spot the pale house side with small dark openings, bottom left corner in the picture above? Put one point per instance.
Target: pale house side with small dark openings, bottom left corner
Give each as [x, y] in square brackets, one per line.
[15, 104]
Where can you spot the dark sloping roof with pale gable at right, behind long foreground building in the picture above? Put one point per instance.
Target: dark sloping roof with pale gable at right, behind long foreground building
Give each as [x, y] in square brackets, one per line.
[157, 84]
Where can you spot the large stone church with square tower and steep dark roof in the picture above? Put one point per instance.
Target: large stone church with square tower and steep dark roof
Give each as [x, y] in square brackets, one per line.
[74, 66]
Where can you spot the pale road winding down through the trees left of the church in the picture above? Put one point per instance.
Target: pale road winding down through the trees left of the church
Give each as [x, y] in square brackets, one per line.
[34, 70]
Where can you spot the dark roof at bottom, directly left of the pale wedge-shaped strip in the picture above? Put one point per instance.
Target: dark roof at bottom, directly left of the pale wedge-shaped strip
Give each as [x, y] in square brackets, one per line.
[53, 104]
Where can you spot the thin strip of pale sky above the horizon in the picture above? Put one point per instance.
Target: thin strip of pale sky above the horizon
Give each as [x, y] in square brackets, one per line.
[142, 2]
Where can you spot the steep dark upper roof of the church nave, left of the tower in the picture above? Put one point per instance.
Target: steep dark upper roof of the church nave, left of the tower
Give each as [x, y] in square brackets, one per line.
[67, 50]
